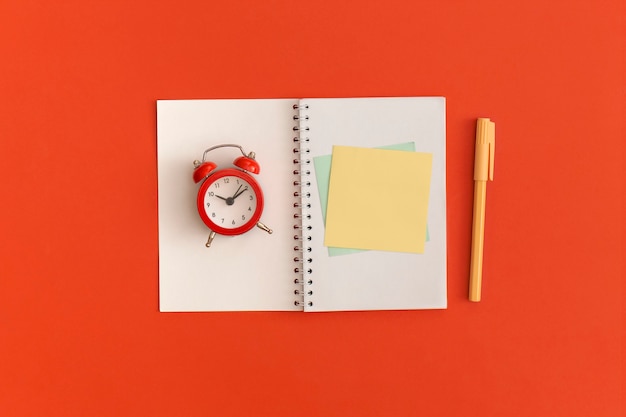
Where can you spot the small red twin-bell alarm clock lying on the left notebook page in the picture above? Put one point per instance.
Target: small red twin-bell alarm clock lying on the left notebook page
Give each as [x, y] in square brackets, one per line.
[230, 201]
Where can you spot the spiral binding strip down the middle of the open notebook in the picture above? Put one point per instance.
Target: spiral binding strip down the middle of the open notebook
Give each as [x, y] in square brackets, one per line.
[303, 259]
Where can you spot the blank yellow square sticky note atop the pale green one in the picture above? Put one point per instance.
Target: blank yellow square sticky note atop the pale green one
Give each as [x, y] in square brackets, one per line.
[378, 199]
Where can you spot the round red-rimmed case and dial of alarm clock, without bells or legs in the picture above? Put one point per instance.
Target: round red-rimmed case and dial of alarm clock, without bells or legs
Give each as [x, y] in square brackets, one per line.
[230, 202]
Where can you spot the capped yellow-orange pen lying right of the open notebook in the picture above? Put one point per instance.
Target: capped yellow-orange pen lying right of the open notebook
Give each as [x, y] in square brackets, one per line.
[483, 171]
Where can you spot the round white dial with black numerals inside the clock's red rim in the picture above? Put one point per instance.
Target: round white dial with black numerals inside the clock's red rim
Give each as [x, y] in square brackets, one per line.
[230, 202]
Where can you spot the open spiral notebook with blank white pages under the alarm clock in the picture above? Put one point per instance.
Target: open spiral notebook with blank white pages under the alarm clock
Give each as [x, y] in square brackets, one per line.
[307, 150]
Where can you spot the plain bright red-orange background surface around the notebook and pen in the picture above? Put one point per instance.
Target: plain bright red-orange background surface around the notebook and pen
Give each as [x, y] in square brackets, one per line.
[80, 331]
